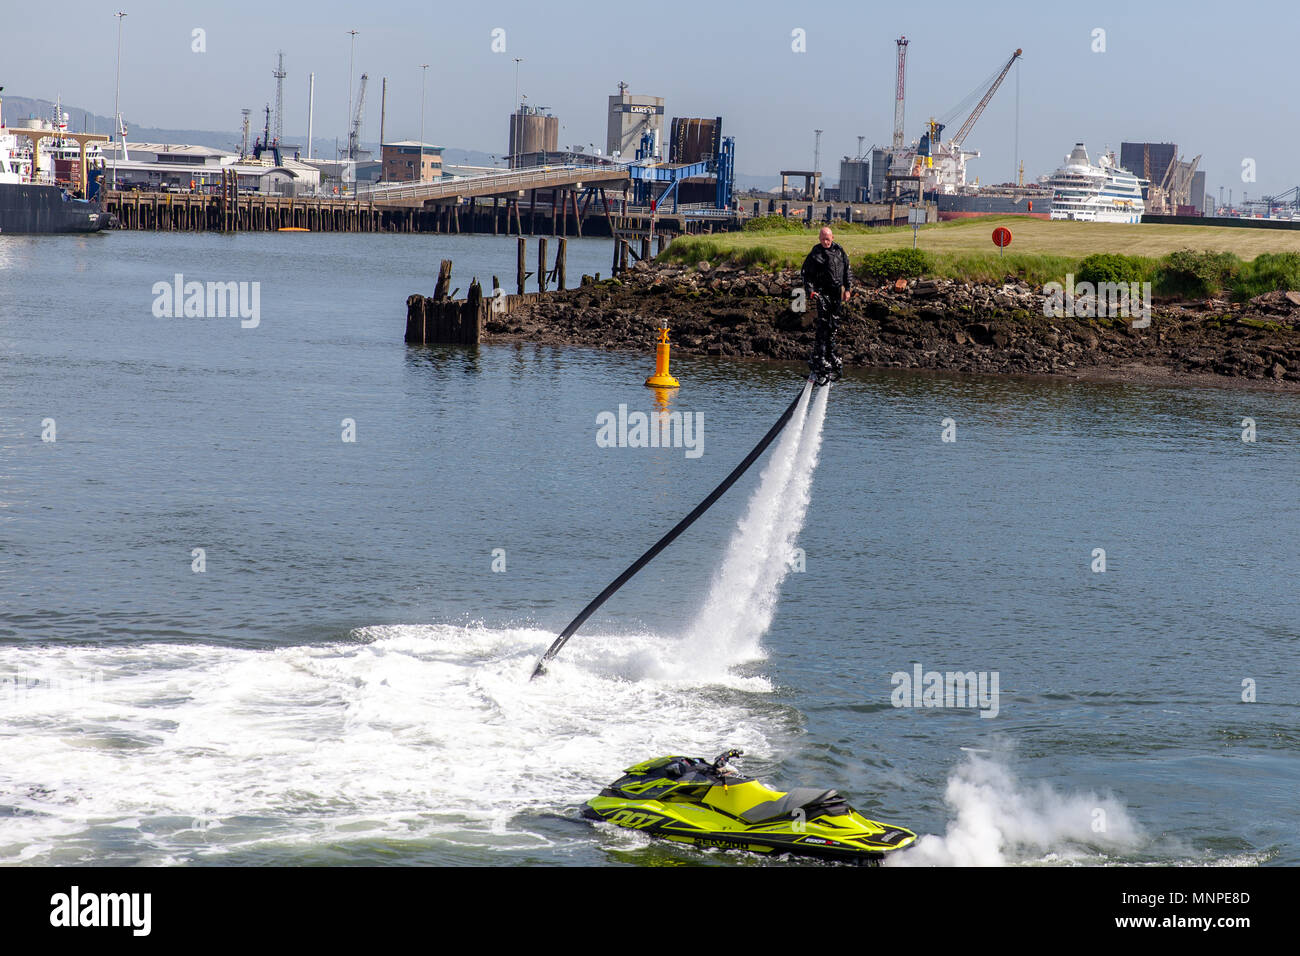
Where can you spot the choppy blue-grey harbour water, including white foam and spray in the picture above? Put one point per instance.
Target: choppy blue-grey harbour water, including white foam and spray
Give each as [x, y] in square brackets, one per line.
[346, 680]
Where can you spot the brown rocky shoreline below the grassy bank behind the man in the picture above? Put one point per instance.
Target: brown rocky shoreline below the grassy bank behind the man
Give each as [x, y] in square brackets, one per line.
[926, 325]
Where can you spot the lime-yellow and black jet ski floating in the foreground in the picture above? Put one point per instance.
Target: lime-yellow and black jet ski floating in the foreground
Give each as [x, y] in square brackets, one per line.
[710, 804]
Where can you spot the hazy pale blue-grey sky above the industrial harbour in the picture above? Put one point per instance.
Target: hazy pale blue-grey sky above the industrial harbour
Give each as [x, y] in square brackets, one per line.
[1216, 79]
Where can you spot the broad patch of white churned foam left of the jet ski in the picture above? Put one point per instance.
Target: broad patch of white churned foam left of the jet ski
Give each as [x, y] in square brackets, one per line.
[410, 733]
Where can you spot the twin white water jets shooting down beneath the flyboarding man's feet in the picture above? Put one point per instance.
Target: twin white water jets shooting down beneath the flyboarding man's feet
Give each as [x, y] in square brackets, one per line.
[743, 599]
